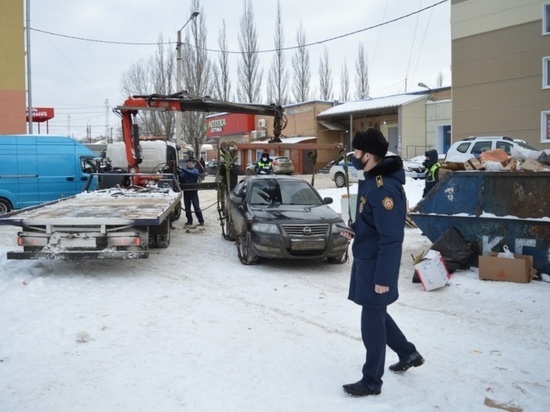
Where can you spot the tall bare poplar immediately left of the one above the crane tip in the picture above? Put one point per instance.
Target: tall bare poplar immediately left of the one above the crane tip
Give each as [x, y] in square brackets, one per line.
[250, 77]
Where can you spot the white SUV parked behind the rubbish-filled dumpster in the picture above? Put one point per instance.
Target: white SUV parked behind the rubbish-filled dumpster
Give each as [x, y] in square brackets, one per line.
[473, 146]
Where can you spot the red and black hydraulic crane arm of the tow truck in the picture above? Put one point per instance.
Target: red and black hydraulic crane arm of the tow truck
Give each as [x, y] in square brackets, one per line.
[183, 102]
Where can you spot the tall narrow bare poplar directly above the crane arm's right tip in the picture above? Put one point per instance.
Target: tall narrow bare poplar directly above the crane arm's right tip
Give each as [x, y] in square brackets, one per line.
[277, 82]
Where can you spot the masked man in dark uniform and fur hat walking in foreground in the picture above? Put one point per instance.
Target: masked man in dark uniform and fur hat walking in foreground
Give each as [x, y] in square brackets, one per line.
[378, 234]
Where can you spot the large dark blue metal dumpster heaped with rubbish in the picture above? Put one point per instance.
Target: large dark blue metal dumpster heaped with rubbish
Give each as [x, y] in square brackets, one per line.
[490, 210]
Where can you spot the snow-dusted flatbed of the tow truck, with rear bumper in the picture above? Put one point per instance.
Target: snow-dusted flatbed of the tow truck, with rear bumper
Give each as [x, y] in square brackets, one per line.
[104, 224]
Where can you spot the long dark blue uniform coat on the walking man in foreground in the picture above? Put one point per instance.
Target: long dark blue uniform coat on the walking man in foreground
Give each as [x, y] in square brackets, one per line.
[379, 230]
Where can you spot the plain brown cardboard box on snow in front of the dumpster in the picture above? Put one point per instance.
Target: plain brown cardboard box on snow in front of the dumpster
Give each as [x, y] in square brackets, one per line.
[519, 270]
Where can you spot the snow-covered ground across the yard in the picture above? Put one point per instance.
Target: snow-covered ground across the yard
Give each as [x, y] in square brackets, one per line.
[192, 329]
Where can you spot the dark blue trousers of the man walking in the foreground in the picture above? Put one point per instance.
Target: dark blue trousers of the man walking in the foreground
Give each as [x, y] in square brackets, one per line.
[378, 329]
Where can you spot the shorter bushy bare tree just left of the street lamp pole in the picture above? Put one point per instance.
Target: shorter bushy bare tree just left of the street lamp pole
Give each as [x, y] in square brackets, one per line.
[156, 75]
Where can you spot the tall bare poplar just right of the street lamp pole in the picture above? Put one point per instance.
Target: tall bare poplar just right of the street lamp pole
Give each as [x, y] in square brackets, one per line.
[197, 77]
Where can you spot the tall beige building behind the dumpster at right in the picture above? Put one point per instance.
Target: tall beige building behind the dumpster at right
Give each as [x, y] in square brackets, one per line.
[501, 69]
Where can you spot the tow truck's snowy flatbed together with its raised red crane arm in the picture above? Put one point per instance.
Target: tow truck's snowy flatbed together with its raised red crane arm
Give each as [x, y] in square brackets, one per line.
[130, 212]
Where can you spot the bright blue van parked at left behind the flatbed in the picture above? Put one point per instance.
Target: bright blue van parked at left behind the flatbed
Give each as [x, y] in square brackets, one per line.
[39, 169]
